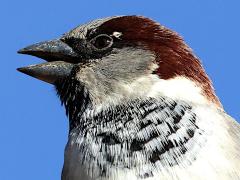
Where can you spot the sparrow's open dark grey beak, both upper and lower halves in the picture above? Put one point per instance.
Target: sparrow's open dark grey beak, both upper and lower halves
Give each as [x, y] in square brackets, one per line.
[60, 57]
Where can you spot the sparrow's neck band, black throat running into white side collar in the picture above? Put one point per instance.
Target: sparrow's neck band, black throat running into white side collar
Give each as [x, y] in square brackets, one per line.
[78, 101]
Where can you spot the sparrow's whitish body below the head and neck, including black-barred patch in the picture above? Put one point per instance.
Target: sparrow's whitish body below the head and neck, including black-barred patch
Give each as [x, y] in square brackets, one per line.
[152, 137]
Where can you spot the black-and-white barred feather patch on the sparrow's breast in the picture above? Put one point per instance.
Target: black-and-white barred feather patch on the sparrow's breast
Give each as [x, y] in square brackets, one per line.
[137, 135]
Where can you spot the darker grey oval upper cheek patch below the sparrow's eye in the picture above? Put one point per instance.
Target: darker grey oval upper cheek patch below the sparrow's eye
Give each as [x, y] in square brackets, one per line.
[125, 64]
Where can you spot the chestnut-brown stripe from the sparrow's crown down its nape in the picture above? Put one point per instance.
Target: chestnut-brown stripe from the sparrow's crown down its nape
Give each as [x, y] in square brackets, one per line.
[173, 56]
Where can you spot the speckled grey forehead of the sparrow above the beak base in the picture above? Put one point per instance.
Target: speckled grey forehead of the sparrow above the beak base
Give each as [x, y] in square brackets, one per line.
[81, 31]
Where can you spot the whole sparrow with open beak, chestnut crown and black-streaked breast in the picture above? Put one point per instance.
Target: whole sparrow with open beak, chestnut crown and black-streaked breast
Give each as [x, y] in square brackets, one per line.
[139, 102]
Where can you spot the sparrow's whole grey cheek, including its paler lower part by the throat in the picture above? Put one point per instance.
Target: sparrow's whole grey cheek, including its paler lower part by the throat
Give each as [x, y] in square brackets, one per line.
[107, 76]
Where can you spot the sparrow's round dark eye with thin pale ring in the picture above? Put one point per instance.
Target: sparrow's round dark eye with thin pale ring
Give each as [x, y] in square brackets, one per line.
[102, 42]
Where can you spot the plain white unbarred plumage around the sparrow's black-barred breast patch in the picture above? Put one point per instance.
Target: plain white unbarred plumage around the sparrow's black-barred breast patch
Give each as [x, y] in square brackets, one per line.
[217, 159]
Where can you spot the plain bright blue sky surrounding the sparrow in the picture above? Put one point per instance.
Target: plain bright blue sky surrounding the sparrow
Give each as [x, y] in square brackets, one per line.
[33, 129]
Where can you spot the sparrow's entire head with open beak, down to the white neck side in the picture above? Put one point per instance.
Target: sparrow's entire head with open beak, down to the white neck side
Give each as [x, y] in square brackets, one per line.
[117, 58]
